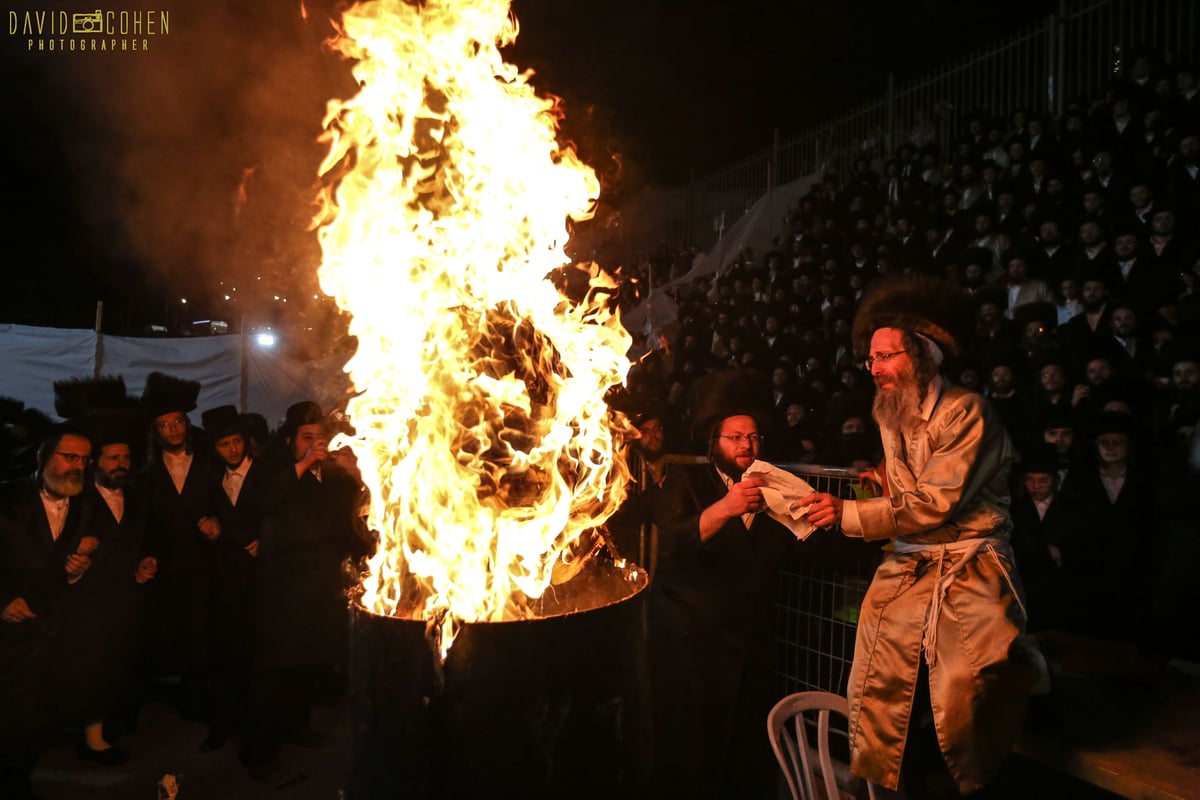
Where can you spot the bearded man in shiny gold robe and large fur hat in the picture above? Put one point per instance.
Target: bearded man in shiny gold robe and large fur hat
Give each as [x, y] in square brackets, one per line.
[933, 684]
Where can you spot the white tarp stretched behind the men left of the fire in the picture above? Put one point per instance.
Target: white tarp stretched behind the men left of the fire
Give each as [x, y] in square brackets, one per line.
[34, 358]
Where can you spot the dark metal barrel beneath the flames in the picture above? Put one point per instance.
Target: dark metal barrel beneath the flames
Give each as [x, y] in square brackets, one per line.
[551, 707]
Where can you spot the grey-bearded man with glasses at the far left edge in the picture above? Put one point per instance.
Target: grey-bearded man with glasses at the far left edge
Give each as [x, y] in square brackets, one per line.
[43, 552]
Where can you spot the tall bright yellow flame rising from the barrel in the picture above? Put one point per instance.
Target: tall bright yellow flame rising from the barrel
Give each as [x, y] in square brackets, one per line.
[482, 429]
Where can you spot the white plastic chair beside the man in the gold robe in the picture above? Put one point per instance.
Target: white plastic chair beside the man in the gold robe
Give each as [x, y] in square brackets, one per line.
[789, 725]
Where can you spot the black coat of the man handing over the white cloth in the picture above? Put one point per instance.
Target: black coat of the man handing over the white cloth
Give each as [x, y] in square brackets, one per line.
[712, 627]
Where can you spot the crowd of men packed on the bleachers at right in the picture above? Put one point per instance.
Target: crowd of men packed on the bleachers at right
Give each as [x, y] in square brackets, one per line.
[1073, 243]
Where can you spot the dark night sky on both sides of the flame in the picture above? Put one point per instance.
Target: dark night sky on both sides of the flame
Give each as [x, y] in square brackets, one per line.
[123, 170]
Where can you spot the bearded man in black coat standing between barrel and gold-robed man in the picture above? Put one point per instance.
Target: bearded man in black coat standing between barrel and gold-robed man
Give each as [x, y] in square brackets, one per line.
[711, 627]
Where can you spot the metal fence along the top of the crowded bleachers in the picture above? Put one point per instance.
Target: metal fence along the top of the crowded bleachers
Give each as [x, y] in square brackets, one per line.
[1076, 52]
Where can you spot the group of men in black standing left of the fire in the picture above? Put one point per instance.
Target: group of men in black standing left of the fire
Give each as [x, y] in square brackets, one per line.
[143, 557]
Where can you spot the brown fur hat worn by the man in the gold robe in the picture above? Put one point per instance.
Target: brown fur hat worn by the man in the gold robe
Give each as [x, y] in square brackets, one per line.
[920, 304]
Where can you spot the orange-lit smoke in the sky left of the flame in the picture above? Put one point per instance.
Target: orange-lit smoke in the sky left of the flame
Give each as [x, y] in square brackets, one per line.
[193, 165]
